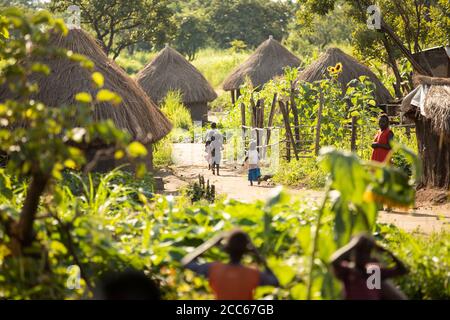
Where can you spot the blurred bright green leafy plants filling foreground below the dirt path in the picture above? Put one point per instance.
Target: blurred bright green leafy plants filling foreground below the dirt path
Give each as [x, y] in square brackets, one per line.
[105, 222]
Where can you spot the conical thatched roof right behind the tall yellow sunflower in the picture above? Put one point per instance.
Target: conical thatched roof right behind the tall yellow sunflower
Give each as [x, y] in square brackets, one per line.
[352, 69]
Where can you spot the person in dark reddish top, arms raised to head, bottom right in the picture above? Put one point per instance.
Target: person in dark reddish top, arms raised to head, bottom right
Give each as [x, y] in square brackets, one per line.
[352, 264]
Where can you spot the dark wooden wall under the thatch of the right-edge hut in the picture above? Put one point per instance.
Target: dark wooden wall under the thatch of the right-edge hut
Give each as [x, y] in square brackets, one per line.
[435, 155]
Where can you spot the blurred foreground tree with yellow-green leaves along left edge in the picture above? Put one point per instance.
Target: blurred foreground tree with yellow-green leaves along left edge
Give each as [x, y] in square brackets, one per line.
[39, 141]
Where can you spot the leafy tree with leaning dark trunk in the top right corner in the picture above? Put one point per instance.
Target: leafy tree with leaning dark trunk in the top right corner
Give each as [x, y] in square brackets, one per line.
[406, 26]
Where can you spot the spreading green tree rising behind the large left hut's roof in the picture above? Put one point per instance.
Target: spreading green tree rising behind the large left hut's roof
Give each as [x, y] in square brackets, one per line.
[121, 24]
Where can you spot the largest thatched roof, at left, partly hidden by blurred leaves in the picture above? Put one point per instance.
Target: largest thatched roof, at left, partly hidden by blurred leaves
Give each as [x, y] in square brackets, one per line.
[136, 114]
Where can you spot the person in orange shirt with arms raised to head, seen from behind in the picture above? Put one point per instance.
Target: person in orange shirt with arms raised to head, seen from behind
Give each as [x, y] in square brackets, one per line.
[232, 280]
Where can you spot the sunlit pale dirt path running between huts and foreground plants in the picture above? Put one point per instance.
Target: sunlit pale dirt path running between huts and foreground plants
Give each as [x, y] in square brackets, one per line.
[233, 183]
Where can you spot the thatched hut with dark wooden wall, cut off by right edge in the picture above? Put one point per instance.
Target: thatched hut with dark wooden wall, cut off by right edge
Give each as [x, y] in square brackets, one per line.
[429, 106]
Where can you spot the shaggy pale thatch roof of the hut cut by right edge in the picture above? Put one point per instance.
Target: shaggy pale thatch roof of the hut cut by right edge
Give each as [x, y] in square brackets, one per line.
[434, 93]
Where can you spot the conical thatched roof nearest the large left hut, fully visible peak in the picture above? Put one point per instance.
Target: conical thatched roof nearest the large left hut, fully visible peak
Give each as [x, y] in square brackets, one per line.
[170, 71]
